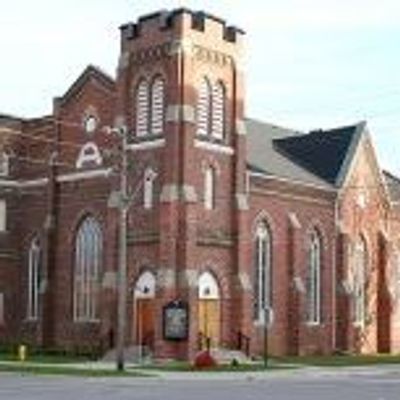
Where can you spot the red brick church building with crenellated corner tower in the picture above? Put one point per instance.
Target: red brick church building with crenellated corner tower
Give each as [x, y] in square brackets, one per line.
[229, 217]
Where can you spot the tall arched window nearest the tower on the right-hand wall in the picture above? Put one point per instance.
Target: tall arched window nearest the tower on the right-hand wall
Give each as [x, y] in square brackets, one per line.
[262, 271]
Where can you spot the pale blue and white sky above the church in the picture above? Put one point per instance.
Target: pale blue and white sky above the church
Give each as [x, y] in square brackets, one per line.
[309, 63]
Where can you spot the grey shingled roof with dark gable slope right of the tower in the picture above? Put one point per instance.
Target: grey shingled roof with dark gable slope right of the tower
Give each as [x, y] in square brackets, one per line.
[312, 158]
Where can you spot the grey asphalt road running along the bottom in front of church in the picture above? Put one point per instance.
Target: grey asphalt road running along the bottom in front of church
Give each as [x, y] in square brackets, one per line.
[373, 384]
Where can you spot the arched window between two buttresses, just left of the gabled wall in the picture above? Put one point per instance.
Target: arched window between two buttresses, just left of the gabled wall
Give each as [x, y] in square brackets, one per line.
[313, 280]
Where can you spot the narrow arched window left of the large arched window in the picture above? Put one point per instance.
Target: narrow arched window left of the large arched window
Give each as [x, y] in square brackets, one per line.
[34, 279]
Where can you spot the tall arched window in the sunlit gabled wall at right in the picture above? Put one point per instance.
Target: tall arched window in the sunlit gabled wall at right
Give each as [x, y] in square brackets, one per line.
[359, 282]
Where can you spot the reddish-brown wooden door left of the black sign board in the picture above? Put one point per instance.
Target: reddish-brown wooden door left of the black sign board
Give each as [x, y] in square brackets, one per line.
[145, 322]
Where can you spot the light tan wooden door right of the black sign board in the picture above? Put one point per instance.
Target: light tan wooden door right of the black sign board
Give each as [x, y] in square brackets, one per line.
[209, 321]
